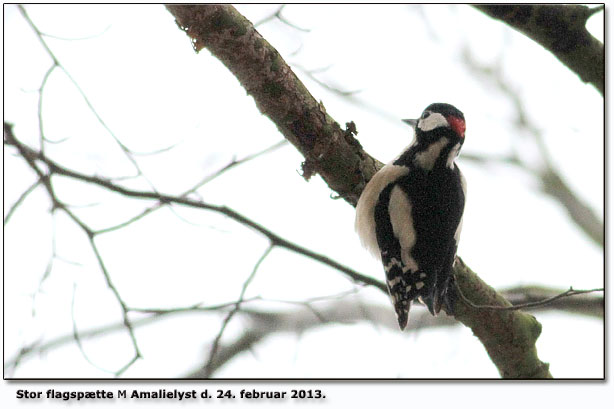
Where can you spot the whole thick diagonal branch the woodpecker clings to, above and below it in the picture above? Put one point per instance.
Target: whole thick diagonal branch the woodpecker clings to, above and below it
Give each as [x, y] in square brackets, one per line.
[508, 336]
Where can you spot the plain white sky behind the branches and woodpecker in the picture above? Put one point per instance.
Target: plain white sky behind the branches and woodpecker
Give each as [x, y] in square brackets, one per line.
[142, 76]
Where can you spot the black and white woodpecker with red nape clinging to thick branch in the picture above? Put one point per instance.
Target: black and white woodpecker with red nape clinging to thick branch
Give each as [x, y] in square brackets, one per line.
[410, 213]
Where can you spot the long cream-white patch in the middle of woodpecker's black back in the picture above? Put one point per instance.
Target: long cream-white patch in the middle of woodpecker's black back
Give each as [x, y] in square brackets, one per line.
[399, 209]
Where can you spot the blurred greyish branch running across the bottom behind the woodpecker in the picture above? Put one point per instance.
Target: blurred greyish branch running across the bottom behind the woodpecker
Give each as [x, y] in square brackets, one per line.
[329, 310]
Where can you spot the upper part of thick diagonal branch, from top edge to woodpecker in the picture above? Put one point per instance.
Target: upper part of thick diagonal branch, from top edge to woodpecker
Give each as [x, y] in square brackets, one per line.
[278, 93]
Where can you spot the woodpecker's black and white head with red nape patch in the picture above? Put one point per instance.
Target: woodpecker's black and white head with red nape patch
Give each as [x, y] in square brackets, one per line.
[439, 120]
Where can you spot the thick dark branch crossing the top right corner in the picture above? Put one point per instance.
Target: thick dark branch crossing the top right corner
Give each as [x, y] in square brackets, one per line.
[561, 29]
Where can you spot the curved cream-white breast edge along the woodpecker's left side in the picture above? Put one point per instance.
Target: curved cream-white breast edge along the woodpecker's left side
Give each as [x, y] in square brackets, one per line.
[365, 209]
